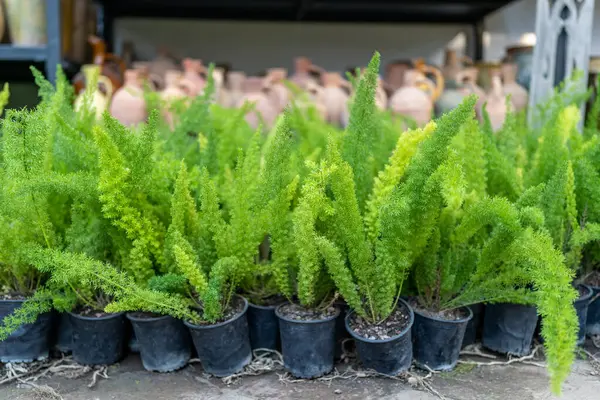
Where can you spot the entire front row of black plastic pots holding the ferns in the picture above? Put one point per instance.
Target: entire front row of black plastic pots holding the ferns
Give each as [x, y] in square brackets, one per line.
[309, 347]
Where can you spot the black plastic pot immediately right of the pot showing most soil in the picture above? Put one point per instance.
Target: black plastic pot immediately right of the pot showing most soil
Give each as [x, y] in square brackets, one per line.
[437, 342]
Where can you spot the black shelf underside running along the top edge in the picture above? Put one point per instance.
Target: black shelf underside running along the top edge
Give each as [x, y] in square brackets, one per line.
[401, 11]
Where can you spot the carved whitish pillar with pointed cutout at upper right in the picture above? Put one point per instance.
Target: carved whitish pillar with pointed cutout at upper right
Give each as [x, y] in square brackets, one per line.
[563, 41]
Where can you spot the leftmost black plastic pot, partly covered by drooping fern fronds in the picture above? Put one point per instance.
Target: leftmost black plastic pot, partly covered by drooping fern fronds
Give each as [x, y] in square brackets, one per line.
[28, 343]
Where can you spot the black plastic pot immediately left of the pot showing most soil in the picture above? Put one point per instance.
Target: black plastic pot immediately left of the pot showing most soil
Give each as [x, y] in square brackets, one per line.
[308, 347]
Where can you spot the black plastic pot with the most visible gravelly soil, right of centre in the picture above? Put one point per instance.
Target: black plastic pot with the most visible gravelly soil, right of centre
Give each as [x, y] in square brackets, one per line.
[385, 347]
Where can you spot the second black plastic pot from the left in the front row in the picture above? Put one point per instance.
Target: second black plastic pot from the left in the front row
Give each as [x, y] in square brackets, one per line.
[98, 340]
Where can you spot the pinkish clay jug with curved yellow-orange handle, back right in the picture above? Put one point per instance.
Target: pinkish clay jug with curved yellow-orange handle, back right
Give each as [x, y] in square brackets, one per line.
[416, 97]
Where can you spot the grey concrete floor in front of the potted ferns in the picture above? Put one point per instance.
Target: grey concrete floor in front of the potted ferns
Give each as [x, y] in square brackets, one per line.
[128, 381]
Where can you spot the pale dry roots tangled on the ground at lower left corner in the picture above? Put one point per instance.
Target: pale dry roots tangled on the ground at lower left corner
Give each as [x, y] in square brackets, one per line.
[27, 373]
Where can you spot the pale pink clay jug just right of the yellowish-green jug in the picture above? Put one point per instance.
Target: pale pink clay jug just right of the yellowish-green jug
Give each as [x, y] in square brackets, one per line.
[128, 105]
